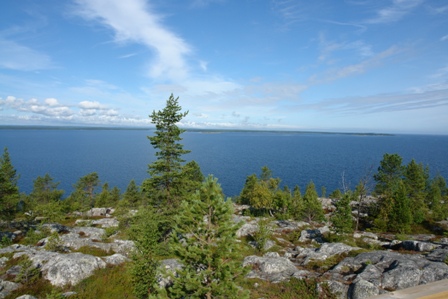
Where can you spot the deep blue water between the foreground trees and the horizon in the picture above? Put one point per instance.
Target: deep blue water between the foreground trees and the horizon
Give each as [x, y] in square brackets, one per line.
[121, 155]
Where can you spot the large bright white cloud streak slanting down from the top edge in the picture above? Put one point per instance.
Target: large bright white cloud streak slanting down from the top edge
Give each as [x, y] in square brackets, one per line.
[133, 21]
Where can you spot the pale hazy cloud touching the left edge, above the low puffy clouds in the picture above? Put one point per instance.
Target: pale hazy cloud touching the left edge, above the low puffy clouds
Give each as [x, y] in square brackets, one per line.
[18, 57]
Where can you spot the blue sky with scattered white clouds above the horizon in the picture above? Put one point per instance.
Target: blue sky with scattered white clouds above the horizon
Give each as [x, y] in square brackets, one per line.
[348, 66]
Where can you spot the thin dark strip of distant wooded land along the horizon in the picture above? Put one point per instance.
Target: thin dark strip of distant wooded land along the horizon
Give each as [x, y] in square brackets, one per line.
[199, 130]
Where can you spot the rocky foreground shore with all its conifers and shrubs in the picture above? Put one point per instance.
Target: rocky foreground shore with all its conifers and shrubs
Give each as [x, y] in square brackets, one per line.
[177, 236]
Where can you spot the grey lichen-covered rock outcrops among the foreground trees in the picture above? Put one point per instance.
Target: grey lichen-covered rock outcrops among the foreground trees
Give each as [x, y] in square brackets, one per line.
[295, 250]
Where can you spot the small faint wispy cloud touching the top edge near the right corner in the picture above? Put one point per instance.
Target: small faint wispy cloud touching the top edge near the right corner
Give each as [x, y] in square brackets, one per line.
[394, 12]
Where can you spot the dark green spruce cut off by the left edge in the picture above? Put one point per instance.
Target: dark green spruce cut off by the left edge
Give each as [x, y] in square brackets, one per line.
[9, 191]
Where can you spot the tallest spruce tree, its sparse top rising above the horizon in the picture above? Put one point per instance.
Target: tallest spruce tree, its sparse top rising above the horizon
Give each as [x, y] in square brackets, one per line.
[165, 184]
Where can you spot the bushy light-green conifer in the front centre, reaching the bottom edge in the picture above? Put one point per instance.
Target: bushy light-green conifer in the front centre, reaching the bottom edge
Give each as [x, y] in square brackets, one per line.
[204, 240]
